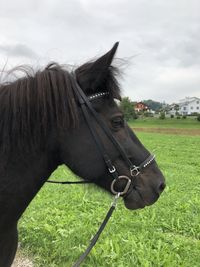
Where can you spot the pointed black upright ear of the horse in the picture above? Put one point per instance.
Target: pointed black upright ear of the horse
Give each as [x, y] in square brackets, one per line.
[92, 75]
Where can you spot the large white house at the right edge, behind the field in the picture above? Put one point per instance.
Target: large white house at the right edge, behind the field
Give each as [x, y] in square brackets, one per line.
[189, 105]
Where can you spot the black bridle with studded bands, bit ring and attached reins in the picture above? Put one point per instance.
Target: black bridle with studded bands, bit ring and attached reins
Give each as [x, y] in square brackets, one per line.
[88, 111]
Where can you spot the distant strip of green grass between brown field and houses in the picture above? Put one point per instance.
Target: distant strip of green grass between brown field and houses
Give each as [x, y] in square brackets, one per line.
[190, 123]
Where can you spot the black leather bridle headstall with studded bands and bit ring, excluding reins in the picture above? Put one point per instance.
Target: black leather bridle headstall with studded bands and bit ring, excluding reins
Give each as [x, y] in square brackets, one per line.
[85, 103]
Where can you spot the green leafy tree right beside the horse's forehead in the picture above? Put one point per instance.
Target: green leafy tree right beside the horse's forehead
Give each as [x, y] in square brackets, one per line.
[128, 109]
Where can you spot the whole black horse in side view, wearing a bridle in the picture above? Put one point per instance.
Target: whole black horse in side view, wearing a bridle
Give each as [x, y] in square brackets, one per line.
[42, 125]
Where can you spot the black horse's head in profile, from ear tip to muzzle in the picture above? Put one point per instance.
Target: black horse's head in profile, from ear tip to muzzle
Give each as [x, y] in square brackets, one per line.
[80, 151]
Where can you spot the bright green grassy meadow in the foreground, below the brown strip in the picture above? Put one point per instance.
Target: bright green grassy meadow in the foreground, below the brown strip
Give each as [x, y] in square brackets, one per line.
[59, 223]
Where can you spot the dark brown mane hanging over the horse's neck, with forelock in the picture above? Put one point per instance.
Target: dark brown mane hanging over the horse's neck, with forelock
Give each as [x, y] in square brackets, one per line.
[30, 106]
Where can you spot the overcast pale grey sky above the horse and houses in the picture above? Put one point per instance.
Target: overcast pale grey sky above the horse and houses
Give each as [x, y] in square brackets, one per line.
[159, 40]
